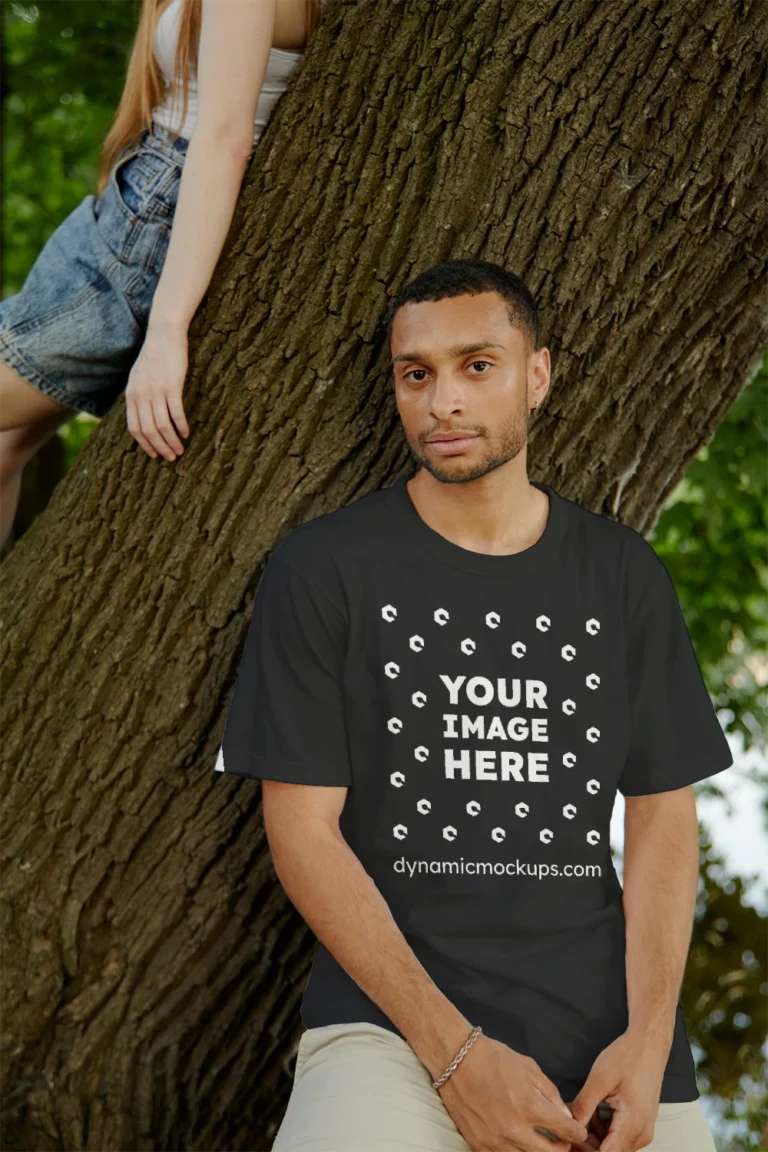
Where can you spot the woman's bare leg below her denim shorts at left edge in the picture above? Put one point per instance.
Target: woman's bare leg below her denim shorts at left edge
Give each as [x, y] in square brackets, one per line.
[28, 419]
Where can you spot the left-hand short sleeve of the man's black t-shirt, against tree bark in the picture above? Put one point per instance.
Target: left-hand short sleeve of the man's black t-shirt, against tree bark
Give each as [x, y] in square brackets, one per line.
[286, 719]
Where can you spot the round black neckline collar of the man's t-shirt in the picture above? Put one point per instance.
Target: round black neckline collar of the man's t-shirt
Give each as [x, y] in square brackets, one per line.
[483, 564]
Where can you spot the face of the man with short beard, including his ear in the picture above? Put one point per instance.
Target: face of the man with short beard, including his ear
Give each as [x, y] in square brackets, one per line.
[462, 368]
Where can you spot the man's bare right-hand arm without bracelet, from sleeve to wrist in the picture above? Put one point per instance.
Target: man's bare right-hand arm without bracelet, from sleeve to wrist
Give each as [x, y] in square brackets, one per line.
[661, 868]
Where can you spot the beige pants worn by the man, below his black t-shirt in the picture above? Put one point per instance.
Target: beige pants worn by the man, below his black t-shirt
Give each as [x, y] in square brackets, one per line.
[360, 1088]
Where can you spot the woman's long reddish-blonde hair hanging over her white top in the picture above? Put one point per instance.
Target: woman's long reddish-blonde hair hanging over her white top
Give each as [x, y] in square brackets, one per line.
[145, 84]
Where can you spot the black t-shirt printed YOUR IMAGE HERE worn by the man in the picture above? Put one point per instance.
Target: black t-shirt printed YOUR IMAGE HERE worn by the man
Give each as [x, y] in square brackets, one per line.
[483, 711]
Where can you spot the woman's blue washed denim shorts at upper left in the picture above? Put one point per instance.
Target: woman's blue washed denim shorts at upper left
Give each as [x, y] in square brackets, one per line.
[75, 329]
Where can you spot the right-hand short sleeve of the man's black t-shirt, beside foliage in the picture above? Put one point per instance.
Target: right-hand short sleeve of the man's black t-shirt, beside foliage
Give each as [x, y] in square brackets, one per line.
[675, 736]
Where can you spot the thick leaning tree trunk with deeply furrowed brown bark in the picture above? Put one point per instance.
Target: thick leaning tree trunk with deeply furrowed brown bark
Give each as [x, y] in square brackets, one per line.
[613, 155]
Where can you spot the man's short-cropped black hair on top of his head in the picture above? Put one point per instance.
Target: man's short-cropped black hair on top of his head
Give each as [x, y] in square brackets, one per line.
[458, 278]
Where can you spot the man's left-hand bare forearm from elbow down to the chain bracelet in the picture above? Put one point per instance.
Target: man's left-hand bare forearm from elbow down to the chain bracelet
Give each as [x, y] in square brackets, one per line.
[344, 907]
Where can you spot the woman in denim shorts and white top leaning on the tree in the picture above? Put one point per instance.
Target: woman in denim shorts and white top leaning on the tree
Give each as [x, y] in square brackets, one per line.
[109, 302]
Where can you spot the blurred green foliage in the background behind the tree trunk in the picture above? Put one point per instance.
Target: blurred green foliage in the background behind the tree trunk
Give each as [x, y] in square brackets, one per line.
[65, 66]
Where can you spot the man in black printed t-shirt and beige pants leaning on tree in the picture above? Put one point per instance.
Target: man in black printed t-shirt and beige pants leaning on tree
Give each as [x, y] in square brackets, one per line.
[443, 687]
